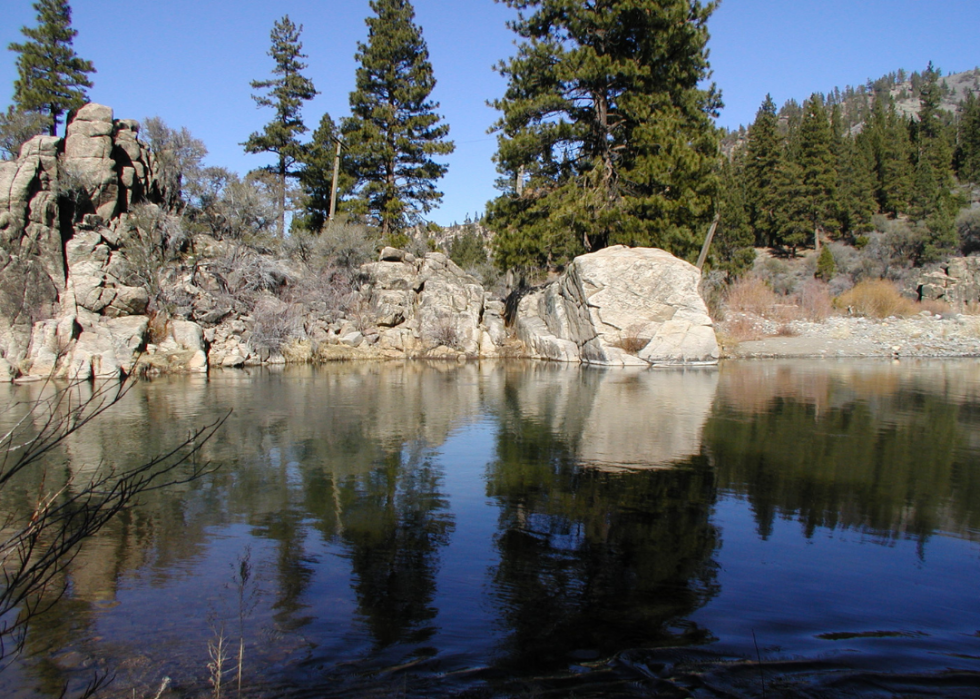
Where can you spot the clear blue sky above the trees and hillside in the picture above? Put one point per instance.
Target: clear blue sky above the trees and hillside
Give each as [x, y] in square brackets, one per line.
[190, 61]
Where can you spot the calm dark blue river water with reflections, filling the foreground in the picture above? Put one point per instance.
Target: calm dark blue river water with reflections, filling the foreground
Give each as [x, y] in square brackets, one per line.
[536, 530]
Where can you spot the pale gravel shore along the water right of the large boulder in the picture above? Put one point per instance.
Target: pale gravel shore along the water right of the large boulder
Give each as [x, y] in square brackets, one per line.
[924, 335]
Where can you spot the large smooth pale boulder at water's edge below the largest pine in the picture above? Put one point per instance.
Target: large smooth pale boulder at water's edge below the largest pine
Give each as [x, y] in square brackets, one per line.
[620, 307]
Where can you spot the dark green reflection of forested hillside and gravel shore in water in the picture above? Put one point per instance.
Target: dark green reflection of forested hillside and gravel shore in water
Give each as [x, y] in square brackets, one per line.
[879, 448]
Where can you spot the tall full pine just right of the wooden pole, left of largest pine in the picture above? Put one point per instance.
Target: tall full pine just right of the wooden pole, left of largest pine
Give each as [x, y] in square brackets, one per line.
[394, 131]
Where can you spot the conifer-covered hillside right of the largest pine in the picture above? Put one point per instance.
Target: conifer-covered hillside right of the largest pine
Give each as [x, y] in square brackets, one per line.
[904, 149]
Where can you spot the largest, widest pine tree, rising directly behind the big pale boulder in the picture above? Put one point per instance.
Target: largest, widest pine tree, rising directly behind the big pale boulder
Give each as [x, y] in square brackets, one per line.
[606, 134]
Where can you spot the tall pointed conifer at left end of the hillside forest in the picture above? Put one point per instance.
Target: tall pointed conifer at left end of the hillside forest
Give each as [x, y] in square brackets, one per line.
[764, 149]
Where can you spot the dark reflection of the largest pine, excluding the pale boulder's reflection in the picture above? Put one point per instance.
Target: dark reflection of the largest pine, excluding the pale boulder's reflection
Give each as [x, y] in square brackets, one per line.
[591, 561]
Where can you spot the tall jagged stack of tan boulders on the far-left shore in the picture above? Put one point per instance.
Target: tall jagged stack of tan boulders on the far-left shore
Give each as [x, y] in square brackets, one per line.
[71, 305]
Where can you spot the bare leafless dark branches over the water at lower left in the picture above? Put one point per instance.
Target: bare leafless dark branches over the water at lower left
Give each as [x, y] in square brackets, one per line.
[39, 542]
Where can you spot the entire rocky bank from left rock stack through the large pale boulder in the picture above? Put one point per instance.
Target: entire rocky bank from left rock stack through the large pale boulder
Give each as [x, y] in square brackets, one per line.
[77, 287]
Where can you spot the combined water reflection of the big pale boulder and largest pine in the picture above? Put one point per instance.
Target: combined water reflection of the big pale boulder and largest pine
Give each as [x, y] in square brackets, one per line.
[593, 561]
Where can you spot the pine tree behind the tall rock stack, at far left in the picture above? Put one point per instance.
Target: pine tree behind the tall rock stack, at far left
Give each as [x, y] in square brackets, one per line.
[51, 78]
